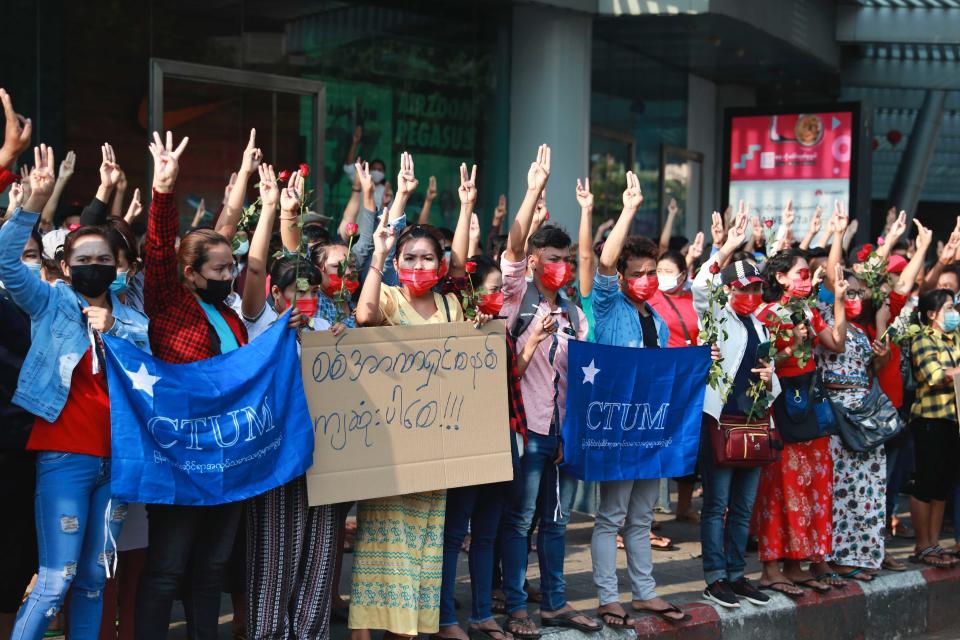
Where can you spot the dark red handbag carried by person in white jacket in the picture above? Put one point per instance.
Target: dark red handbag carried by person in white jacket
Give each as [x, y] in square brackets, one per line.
[739, 443]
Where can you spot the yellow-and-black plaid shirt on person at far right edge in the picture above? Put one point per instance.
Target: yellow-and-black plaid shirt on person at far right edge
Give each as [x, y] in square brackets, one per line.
[931, 357]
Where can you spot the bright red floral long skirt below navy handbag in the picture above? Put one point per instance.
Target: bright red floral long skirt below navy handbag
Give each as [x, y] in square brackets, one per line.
[794, 507]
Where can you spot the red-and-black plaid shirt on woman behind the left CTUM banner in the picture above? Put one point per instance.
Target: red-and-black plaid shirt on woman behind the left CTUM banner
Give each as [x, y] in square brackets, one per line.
[179, 329]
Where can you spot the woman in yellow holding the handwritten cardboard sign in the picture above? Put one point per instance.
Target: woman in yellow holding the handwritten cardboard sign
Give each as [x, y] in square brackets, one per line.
[377, 578]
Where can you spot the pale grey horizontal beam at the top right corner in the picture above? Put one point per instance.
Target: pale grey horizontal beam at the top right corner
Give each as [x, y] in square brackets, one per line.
[857, 24]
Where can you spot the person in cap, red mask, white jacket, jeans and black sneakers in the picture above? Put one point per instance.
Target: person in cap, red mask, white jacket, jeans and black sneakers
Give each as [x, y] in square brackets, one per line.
[729, 493]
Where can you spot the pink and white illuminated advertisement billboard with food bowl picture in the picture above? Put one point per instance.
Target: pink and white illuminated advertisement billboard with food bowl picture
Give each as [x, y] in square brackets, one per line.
[805, 155]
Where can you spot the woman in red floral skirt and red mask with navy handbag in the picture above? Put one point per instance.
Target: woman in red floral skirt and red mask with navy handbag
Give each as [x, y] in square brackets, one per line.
[794, 500]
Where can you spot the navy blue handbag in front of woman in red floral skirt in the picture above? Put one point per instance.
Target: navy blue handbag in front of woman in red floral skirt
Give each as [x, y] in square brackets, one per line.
[802, 410]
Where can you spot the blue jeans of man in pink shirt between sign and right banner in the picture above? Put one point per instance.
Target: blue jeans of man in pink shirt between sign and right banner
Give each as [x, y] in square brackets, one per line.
[538, 478]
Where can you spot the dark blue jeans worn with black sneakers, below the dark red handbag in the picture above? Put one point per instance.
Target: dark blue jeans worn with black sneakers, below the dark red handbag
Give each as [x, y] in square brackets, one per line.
[723, 533]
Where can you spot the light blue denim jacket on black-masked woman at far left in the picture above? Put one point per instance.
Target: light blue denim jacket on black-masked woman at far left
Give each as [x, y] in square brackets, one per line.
[58, 326]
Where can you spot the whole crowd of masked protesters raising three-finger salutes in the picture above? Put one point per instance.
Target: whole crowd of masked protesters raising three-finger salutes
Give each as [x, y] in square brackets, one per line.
[799, 332]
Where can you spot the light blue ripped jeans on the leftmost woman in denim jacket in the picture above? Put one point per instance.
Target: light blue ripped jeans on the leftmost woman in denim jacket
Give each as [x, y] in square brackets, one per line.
[73, 492]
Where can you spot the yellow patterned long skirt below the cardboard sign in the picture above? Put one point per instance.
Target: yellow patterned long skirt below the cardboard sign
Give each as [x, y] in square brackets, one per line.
[397, 564]
